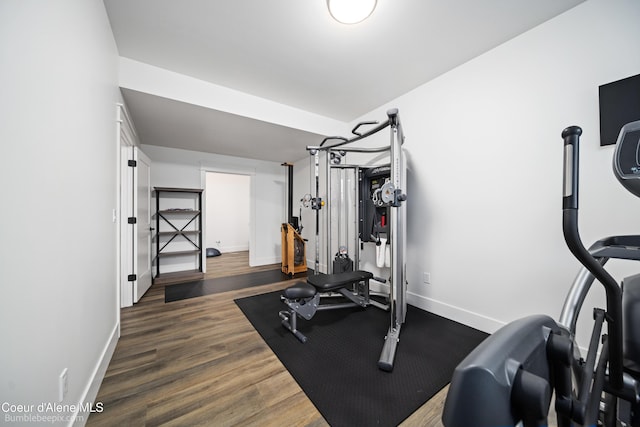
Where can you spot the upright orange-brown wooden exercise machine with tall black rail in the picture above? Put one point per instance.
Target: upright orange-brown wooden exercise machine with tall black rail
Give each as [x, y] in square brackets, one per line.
[293, 249]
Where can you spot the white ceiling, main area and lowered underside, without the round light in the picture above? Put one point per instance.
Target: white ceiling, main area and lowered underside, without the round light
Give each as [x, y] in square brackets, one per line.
[292, 52]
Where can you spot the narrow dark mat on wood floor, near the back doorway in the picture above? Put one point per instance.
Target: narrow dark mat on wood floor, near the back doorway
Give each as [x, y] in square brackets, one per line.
[223, 284]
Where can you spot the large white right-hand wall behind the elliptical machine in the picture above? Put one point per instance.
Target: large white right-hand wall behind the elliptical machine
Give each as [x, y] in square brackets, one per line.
[485, 167]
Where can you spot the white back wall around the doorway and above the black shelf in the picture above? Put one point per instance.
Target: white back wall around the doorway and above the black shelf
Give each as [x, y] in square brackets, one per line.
[187, 169]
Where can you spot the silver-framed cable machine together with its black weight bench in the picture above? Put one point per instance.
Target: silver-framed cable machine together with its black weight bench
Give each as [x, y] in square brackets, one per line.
[380, 216]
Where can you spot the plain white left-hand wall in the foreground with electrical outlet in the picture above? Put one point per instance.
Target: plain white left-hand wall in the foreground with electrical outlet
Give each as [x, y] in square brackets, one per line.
[59, 305]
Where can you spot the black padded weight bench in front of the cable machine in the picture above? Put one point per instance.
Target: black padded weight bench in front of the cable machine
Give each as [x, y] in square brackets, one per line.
[303, 298]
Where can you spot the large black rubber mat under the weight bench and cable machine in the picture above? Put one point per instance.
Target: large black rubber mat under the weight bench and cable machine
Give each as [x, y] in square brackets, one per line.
[337, 366]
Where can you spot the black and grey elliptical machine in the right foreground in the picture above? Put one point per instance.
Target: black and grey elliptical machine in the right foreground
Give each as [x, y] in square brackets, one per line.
[509, 378]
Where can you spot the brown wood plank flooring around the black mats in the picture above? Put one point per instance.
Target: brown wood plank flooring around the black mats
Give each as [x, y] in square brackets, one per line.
[200, 362]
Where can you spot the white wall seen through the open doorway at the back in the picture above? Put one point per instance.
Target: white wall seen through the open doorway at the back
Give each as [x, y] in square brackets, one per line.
[228, 205]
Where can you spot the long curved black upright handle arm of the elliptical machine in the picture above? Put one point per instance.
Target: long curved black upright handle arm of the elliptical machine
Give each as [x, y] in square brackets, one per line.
[571, 137]
